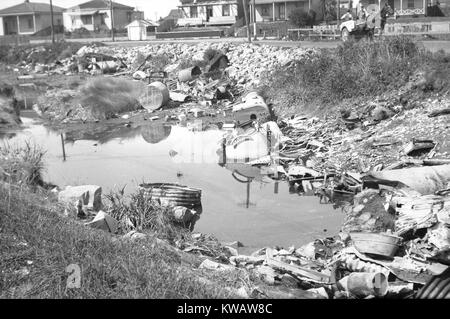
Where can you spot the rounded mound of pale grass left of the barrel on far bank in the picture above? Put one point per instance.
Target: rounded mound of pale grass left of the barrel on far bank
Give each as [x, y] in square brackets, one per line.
[105, 97]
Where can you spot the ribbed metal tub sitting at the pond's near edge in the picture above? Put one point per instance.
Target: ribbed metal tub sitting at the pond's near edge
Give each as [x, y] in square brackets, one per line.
[172, 194]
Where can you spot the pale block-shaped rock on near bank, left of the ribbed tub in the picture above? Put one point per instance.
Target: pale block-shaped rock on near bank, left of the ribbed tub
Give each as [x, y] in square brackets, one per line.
[89, 195]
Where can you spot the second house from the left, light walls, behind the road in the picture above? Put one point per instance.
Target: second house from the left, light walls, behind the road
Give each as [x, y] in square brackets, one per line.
[96, 15]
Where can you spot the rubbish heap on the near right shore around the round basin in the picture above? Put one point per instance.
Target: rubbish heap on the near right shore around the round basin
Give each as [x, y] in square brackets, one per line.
[390, 246]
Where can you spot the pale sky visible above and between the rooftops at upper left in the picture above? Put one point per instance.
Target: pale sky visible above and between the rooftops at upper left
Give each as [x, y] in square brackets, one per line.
[151, 8]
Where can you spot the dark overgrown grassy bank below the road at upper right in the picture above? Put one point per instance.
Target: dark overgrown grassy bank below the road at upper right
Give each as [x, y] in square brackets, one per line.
[363, 69]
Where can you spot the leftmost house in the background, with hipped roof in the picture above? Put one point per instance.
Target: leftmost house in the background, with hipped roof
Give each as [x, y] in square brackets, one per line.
[28, 18]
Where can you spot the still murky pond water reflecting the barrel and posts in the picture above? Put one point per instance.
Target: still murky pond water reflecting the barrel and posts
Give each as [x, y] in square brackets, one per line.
[261, 213]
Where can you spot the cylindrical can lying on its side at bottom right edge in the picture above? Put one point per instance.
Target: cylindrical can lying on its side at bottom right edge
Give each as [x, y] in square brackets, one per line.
[363, 284]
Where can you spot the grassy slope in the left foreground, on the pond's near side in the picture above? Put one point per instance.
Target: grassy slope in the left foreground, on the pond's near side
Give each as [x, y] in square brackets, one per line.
[37, 244]
